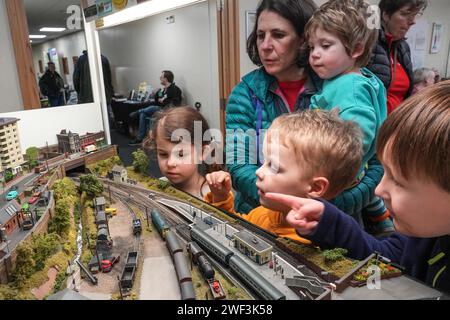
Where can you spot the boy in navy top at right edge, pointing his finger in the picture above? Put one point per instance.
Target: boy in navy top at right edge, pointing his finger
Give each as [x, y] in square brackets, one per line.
[414, 148]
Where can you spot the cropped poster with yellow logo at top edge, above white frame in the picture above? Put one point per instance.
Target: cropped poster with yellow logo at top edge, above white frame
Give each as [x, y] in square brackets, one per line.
[95, 9]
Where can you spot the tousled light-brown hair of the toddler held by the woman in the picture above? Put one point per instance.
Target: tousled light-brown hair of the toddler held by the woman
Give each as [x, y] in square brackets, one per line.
[348, 20]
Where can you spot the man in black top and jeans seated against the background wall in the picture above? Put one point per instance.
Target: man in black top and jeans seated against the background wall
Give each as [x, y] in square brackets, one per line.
[168, 96]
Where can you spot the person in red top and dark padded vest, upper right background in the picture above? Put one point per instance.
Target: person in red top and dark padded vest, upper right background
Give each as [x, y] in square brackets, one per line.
[391, 60]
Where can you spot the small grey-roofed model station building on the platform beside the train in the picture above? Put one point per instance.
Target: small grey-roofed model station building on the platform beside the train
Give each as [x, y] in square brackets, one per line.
[253, 247]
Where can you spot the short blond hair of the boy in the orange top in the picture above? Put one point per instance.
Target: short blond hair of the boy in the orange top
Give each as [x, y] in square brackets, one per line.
[325, 144]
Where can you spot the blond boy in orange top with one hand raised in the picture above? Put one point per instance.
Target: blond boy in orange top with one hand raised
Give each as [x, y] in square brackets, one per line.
[312, 153]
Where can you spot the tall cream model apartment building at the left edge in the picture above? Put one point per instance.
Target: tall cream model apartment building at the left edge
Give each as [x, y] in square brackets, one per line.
[10, 152]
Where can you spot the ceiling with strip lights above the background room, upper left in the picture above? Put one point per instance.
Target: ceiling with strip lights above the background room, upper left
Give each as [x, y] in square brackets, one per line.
[48, 13]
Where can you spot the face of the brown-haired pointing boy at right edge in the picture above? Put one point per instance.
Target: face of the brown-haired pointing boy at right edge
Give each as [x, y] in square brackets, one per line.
[419, 208]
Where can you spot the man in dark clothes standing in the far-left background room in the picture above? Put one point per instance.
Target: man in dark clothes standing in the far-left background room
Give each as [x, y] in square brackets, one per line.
[51, 85]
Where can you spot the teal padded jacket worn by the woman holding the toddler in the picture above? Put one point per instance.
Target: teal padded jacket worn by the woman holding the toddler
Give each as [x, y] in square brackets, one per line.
[241, 115]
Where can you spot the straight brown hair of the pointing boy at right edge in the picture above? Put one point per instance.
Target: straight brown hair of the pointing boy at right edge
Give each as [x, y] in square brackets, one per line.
[417, 136]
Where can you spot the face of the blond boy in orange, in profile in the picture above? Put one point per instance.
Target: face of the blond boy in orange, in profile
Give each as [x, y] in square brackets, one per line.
[281, 173]
